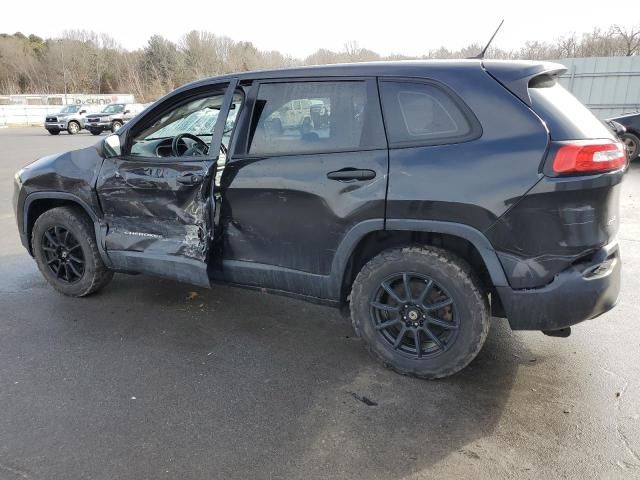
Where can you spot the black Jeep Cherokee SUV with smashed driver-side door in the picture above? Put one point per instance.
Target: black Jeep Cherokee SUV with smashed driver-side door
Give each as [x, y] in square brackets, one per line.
[424, 221]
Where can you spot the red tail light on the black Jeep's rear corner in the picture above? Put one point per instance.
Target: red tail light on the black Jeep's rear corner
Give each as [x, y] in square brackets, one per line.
[589, 157]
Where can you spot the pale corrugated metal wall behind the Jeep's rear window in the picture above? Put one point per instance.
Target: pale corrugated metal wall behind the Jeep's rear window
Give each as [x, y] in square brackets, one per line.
[609, 86]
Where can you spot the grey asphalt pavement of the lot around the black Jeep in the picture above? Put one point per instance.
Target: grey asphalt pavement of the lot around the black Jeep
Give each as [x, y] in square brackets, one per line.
[152, 379]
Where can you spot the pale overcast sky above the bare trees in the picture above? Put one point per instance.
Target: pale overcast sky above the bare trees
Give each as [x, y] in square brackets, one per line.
[301, 27]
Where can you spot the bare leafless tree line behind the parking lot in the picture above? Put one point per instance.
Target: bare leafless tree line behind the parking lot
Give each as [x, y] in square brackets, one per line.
[81, 61]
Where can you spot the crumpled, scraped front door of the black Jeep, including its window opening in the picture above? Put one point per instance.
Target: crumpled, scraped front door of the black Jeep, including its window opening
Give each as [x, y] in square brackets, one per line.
[156, 193]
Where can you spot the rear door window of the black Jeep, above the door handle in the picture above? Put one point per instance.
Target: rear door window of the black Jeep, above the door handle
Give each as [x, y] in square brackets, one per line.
[313, 117]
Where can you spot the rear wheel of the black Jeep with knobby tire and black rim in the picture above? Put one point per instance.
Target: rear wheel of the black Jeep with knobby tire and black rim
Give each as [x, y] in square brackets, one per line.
[460, 327]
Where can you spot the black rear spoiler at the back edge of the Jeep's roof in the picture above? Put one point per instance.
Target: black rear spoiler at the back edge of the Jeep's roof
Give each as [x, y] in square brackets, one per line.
[516, 75]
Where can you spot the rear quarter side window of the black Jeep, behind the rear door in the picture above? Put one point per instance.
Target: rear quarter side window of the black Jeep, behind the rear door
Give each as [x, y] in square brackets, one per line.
[421, 113]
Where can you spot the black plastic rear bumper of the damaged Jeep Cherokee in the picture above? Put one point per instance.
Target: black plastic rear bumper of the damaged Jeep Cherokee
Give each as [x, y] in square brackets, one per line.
[581, 292]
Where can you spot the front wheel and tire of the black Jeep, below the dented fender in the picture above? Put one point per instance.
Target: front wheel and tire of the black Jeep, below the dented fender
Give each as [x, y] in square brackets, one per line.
[79, 244]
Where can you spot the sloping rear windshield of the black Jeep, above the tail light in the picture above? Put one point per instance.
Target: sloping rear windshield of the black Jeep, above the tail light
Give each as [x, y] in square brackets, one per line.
[565, 117]
